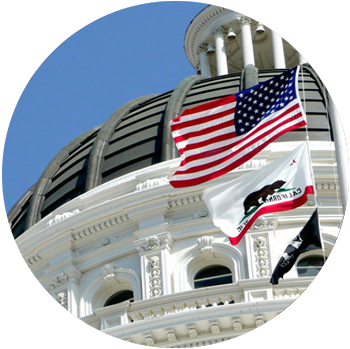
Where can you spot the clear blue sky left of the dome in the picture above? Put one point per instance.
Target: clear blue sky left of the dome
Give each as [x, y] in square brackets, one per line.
[129, 53]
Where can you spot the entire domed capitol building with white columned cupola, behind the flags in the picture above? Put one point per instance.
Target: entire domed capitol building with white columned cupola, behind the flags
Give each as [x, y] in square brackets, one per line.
[120, 248]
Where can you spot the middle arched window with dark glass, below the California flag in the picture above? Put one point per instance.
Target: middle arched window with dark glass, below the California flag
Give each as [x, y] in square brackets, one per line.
[213, 275]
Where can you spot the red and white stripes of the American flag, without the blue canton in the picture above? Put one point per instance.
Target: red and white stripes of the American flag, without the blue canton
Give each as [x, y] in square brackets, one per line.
[209, 146]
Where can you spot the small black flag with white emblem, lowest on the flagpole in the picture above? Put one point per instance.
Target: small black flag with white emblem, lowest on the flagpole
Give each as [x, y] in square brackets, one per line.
[308, 239]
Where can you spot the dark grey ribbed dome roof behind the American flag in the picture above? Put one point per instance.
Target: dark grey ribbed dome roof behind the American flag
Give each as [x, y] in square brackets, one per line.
[137, 135]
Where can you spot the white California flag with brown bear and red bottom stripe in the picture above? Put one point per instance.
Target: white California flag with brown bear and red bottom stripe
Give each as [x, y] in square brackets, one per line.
[279, 186]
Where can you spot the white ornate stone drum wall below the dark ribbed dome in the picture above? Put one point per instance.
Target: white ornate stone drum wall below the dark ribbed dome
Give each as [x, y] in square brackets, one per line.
[138, 233]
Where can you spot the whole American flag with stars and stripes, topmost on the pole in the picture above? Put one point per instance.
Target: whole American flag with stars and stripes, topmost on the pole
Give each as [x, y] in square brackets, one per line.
[216, 137]
